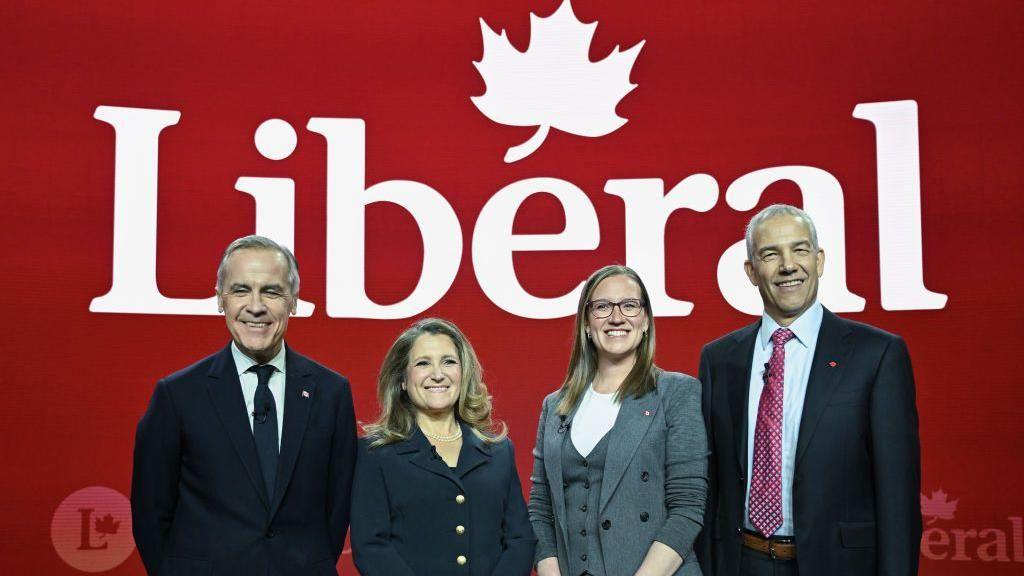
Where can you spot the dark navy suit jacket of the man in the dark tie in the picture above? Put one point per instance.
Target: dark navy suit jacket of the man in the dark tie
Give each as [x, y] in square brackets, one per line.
[199, 503]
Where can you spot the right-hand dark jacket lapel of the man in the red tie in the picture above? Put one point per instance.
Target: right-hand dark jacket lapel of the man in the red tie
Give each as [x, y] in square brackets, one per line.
[834, 345]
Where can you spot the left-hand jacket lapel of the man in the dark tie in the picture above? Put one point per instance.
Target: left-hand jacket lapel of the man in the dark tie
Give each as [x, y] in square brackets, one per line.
[226, 394]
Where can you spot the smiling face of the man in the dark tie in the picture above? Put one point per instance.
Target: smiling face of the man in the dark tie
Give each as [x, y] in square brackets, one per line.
[257, 302]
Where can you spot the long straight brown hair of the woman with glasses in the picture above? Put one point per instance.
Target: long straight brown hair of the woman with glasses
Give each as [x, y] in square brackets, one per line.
[583, 362]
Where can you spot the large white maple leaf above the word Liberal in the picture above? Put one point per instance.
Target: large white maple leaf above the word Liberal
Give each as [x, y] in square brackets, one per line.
[553, 85]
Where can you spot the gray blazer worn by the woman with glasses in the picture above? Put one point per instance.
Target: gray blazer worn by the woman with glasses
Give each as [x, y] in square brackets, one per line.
[656, 478]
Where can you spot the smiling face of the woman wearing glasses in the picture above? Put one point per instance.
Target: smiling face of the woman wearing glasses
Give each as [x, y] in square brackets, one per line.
[618, 336]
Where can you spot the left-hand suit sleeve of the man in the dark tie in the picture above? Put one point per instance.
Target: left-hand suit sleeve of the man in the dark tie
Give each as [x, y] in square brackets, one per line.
[155, 478]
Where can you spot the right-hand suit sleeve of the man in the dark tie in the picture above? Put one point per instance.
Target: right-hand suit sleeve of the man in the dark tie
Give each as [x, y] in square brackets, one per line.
[342, 471]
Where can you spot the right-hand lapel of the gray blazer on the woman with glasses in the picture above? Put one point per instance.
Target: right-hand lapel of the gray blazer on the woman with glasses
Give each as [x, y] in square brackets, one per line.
[635, 417]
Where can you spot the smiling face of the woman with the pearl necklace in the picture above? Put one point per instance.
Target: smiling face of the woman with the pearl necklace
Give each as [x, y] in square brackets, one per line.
[434, 379]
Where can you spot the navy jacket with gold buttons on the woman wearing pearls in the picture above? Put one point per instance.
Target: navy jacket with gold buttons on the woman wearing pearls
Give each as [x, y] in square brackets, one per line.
[406, 513]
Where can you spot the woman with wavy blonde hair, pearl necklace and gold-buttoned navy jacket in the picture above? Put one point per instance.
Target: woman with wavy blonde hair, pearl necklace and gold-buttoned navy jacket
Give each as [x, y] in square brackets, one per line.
[437, 488]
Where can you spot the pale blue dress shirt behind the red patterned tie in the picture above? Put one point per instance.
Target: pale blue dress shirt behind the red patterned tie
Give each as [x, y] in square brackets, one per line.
[799, 353]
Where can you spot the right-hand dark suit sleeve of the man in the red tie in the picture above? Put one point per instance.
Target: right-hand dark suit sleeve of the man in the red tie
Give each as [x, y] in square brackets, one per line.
[897, 459]
